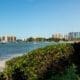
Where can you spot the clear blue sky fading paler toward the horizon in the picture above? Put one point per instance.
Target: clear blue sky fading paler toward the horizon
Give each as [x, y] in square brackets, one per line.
[33, 18]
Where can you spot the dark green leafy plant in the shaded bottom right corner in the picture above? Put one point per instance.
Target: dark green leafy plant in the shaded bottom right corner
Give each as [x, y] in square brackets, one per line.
[68, 74]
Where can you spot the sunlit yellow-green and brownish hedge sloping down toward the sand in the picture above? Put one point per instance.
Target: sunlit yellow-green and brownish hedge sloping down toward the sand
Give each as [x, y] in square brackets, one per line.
[38, 63]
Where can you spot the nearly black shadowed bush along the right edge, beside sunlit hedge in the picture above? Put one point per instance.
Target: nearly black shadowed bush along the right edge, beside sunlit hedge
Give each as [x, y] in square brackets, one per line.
[75, 57]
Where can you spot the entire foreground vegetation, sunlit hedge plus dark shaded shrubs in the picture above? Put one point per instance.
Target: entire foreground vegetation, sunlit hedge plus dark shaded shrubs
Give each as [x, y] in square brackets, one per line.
[55, 62]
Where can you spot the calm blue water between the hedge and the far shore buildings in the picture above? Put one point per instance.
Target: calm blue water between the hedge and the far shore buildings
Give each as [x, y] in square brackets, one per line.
[9, 50]
